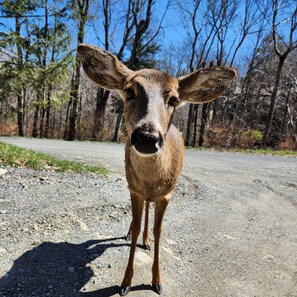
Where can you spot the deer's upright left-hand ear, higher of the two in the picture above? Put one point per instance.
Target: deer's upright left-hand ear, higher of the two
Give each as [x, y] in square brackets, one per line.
[102, 67]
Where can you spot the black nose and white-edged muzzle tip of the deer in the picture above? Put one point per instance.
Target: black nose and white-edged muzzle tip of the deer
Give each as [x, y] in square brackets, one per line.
[146, 142]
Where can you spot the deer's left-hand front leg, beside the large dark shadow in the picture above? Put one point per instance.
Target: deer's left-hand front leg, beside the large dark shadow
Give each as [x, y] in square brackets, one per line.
[137, 203]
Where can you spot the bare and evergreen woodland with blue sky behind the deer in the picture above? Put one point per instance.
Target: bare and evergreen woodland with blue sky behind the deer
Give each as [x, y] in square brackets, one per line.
[45, 93]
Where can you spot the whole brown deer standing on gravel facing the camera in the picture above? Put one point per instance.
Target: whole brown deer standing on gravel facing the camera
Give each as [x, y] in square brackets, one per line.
[154, 151]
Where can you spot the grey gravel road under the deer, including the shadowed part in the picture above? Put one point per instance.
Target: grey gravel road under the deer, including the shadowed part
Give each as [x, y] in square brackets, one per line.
[229, 231]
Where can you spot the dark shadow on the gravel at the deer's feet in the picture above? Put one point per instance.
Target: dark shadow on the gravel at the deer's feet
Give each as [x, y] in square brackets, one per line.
[58, 269]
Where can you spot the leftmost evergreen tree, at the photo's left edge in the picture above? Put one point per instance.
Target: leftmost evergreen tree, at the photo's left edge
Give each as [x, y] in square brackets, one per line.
[15, 46]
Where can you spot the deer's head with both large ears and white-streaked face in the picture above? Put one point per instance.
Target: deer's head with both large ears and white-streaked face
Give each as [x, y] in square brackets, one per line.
[151, 96]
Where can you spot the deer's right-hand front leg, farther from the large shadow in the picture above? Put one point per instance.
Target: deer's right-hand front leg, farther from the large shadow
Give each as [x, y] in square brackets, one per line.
[160, 208]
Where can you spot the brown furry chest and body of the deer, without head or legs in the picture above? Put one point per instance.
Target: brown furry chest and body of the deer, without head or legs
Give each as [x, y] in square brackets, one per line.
[155, 177]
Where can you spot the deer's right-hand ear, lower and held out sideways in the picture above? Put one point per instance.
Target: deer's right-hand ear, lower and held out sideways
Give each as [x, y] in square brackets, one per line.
[205, 85]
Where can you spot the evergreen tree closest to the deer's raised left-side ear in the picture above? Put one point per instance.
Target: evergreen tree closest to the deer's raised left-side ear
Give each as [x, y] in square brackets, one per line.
[51, 56]
